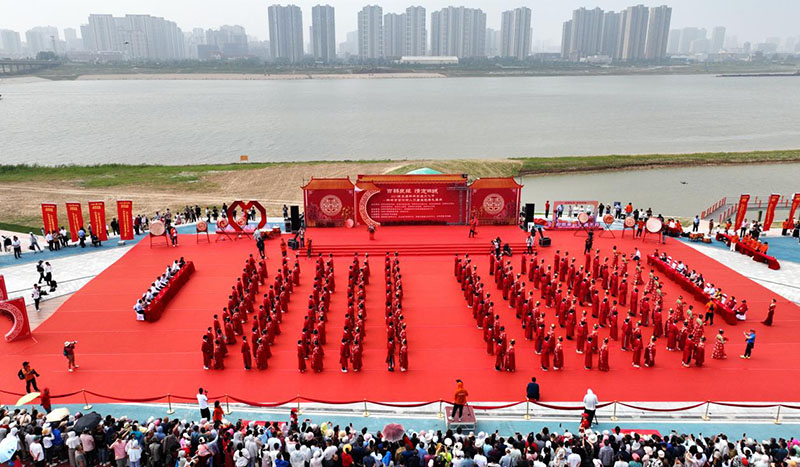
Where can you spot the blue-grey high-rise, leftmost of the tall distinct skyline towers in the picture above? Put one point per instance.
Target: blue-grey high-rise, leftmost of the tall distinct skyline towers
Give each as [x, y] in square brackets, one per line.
[285, 33]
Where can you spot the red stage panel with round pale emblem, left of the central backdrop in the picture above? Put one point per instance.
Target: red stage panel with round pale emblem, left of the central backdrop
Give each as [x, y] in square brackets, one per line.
[328, 202]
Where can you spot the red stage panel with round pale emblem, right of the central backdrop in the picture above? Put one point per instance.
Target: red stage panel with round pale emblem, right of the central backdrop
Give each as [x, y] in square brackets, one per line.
[495, 200]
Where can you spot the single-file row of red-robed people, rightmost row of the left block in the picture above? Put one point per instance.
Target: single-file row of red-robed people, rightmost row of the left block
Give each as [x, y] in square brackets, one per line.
[396, 339]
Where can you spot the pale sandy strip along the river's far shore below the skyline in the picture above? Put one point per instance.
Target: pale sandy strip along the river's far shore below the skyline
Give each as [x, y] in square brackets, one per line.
[255, 77]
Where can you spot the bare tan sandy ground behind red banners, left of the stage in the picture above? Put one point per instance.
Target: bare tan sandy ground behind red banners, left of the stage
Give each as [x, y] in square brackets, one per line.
[272, 186]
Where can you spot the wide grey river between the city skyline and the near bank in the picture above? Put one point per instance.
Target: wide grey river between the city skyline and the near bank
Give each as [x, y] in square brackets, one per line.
[184, 122]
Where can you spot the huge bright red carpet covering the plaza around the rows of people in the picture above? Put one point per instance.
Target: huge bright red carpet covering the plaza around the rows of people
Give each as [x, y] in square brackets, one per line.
[122, 357]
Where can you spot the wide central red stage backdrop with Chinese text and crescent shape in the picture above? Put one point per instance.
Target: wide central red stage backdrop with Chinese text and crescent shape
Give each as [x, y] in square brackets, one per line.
[412, 199]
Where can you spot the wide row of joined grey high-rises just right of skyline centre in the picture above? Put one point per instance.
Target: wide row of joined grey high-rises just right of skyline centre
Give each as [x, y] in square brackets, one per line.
[458, 31]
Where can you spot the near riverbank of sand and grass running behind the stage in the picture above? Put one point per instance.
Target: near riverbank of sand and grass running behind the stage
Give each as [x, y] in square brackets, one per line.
[157, 187]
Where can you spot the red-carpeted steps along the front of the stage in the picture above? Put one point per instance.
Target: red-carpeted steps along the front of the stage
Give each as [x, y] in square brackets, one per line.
[376, 249]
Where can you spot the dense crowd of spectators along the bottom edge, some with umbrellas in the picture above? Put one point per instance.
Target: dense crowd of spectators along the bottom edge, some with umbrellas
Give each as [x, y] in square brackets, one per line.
[172, 442]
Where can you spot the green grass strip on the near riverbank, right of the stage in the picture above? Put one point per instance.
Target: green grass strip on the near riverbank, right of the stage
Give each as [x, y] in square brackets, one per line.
[545, 165]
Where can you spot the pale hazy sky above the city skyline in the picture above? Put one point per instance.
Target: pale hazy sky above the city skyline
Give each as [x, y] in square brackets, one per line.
[749, 20]
